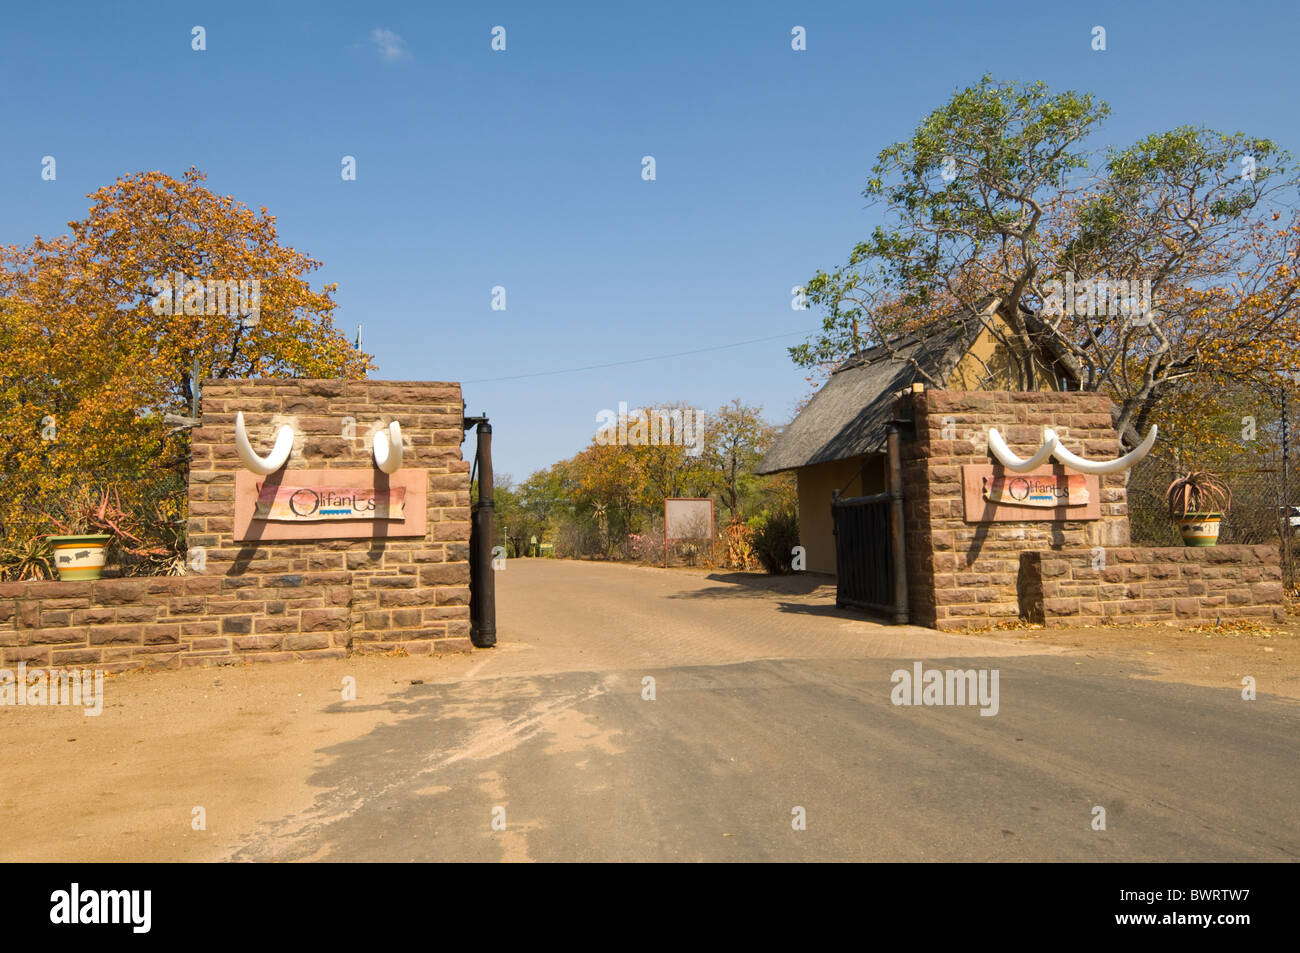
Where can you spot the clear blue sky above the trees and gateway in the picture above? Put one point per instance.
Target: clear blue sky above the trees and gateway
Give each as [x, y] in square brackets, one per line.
[523, 168]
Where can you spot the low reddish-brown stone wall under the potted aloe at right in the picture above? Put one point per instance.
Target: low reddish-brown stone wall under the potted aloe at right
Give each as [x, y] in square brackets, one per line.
[1154, 584]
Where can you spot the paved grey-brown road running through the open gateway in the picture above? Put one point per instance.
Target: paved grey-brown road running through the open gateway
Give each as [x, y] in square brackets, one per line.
[772, 701]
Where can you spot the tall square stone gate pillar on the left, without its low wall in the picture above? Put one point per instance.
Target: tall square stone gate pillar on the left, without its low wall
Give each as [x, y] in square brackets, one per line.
[284, 597]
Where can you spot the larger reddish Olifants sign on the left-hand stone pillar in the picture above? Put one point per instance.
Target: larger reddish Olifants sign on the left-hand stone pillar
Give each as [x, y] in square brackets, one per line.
[331, 505]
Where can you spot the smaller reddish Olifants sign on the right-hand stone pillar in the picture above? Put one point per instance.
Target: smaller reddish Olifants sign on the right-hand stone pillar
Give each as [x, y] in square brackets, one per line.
[994, 495]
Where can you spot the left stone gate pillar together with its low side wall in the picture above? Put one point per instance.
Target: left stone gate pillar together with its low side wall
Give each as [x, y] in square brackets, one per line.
[279, 600]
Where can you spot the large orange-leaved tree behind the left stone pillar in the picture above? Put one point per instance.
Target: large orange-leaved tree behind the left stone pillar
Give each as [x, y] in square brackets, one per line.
[97, 346]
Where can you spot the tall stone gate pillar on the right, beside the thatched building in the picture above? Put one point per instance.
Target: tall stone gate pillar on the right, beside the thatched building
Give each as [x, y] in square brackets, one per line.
[967, 575]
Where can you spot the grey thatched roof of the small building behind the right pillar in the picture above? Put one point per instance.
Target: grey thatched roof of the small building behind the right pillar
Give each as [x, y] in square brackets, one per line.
[851, 415]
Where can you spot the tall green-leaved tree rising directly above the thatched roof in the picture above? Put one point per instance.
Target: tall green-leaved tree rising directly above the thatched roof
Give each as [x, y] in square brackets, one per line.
[968, 198]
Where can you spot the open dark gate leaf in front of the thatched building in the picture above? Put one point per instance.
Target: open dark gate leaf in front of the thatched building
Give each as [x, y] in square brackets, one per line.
[863, 553]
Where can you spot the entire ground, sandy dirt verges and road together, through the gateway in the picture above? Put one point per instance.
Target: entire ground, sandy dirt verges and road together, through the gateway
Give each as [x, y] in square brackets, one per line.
[765, 703]
